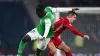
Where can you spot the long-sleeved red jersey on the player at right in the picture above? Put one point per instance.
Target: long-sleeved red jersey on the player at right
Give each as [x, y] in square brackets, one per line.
[61, 24]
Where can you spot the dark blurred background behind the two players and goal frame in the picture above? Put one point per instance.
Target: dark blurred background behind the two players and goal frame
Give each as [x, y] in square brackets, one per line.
[17, 17]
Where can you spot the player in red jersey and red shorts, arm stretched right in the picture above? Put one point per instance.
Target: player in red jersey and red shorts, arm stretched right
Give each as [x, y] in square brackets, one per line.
[59, 26]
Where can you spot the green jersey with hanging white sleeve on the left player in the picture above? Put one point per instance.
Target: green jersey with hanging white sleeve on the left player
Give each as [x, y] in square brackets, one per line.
[46, 24]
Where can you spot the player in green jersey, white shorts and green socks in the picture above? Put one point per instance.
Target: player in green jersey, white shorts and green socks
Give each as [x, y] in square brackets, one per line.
[43, 32]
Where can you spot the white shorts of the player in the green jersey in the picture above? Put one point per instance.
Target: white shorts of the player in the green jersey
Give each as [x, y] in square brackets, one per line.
[36, 36]
